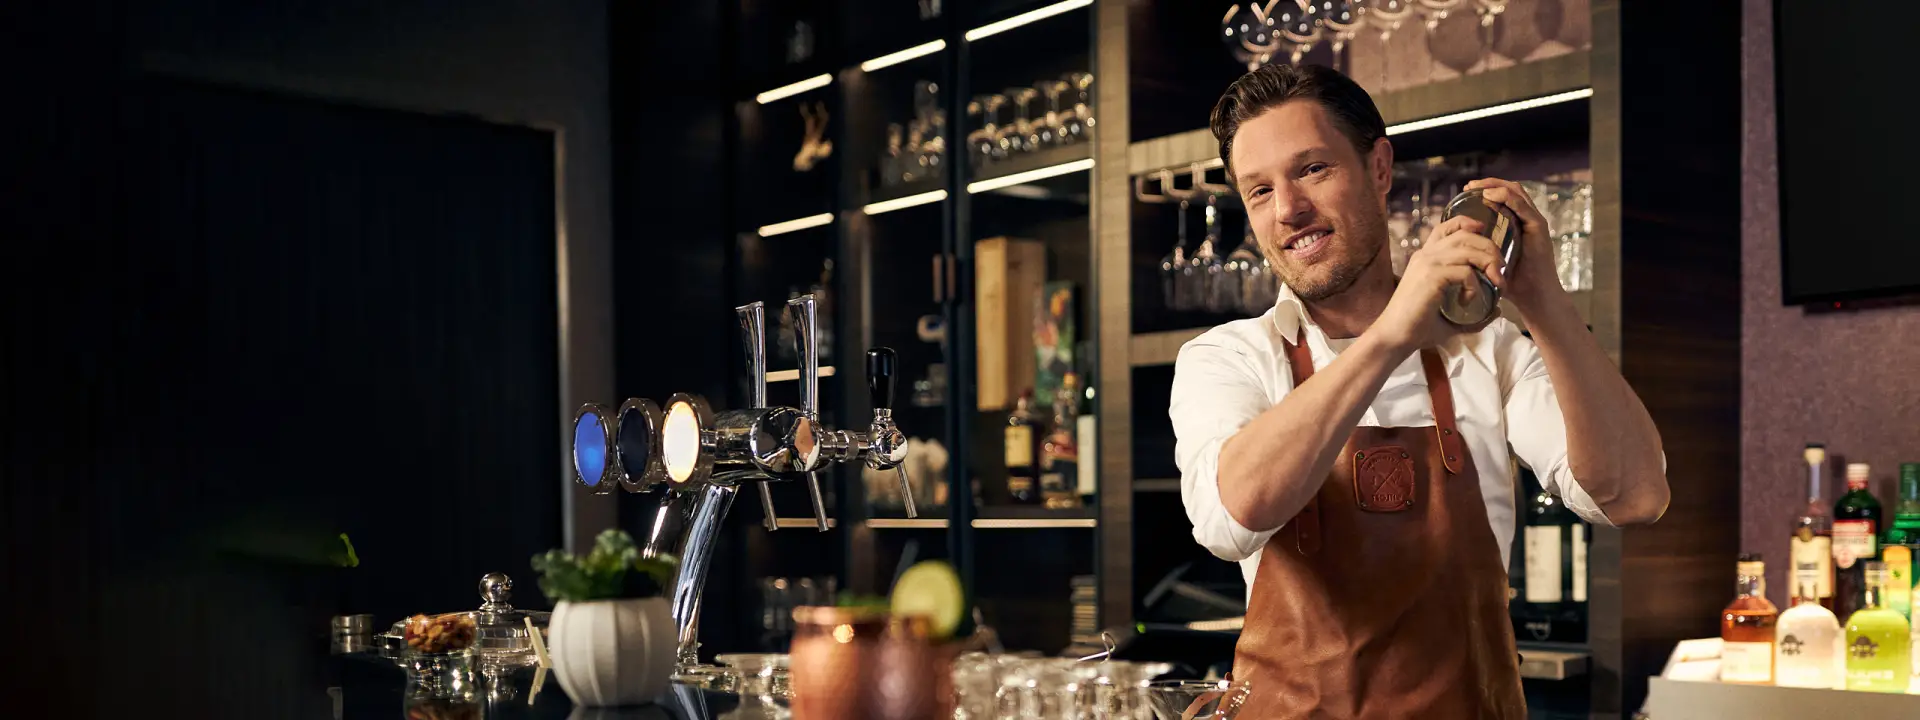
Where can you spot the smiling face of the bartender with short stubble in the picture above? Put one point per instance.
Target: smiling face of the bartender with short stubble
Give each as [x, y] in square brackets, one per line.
[1316, 204]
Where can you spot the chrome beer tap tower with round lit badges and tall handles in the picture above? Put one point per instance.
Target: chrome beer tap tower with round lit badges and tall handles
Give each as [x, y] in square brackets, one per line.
[704, 458]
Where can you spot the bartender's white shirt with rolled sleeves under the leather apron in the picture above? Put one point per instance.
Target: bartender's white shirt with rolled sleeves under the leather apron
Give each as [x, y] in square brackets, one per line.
[1502, 396]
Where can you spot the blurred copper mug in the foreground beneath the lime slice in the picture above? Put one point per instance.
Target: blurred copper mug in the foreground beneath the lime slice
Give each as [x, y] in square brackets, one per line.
[869, 665]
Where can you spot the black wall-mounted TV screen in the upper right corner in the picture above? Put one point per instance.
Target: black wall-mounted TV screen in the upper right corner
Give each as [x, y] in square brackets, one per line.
[1850, 149]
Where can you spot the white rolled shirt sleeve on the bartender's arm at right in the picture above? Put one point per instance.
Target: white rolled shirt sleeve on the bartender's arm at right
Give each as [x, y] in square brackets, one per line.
[1535, 423]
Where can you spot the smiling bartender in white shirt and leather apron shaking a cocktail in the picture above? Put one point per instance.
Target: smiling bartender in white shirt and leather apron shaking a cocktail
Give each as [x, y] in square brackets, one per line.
[1351, 448]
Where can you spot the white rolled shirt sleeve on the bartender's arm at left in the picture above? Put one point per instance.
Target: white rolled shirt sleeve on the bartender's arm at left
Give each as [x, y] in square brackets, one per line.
[1216, 393]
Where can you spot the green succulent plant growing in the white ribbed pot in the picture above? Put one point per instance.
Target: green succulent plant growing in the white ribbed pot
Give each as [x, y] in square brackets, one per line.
[612, 571]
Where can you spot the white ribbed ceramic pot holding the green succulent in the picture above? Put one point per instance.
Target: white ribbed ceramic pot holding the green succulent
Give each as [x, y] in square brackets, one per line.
[613, 652]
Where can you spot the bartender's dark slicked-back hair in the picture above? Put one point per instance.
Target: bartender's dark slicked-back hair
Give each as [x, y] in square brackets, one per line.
[1264, 89]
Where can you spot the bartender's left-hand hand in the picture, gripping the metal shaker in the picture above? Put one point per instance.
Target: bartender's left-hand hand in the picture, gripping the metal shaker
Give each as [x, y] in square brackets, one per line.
[1454, 254]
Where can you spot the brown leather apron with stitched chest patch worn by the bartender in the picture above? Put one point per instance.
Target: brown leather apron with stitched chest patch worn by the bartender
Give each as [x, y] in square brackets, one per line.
[1387, 596]
